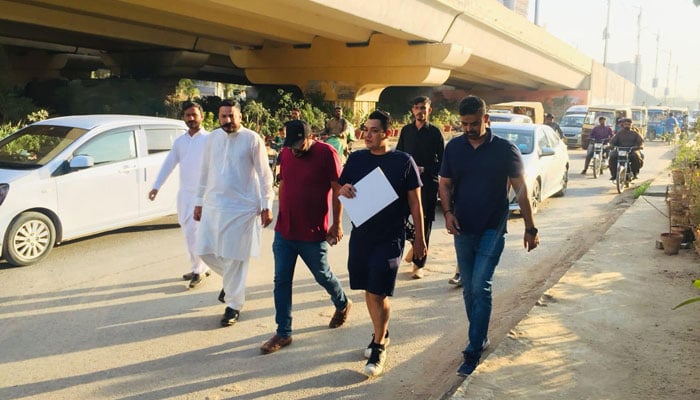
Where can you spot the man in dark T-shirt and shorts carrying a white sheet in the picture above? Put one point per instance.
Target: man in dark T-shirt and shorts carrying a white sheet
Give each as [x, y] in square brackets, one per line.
[376, 245]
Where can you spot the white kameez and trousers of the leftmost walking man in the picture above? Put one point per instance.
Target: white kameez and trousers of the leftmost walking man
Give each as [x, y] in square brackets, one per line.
[187, 151]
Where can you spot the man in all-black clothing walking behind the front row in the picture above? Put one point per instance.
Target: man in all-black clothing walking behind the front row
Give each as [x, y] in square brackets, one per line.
[424, 142]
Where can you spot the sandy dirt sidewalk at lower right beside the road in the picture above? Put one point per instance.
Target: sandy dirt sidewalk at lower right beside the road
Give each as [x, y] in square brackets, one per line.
[606, 329]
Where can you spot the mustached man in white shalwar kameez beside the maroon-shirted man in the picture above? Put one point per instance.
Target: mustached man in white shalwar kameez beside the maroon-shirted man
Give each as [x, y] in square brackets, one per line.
[234, 189]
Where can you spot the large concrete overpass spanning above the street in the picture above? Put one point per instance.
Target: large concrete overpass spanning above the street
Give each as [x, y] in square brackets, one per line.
[349, 50]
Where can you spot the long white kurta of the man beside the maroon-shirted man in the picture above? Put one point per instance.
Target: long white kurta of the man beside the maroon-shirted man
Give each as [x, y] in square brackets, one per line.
[235, 185]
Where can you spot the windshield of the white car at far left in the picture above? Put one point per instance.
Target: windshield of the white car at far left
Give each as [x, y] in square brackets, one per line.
[35, 145]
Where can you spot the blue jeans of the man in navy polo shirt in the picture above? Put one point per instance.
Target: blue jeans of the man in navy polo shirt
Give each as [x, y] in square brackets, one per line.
[477, 257]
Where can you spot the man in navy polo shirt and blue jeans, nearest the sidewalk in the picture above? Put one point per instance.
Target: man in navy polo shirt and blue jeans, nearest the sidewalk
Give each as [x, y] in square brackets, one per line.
[474, 177]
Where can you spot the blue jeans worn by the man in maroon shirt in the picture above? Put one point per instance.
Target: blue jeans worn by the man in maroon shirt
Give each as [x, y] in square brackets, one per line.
[315, 256]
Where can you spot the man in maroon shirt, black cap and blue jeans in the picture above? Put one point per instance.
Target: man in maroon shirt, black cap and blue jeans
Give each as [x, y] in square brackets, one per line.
[309, 172]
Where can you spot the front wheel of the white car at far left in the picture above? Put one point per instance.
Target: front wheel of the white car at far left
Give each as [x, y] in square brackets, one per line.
[30, 239]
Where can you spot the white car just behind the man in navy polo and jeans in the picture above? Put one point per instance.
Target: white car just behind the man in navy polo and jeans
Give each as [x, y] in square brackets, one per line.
[545, 157]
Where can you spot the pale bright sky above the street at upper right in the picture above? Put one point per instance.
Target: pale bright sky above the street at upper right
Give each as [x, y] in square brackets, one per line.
[581, 23]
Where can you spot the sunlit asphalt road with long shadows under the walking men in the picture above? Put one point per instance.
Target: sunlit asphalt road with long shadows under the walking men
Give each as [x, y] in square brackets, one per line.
[107, 317]
